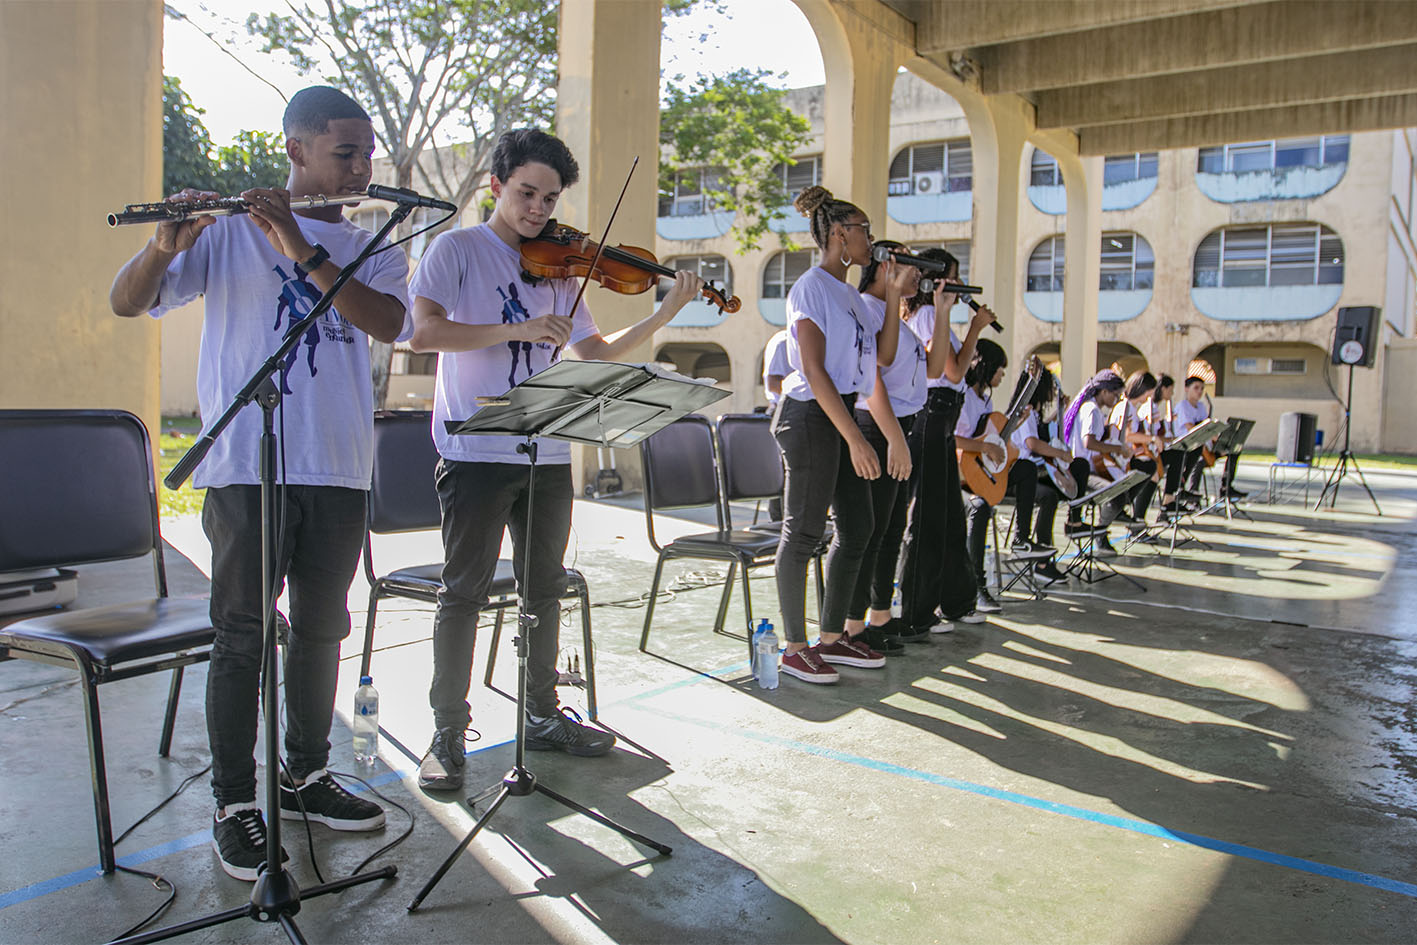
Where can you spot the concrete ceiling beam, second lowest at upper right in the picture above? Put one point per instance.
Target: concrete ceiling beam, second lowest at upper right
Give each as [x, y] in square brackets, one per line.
[1306, 81]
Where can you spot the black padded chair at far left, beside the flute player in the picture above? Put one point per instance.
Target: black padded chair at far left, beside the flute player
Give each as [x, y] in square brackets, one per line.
[80, 490]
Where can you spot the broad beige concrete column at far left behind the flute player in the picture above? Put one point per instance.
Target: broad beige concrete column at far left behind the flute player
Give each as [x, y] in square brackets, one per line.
[81, 93]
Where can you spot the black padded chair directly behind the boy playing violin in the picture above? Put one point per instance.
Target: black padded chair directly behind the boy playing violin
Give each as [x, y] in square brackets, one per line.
[403, 498]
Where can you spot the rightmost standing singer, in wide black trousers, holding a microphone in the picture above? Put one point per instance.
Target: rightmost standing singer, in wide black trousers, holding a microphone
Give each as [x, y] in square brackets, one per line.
[936, 583]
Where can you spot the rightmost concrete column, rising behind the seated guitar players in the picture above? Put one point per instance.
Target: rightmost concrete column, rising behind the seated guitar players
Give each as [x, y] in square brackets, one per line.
[1083, 181]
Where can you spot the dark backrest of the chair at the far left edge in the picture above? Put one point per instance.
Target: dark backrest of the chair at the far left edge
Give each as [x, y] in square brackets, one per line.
[79, 490]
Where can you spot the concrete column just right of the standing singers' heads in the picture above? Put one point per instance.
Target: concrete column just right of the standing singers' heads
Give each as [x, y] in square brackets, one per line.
[998, 134]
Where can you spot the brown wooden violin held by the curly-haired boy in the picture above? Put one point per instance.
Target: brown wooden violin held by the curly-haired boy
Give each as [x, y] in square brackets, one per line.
[565, 253]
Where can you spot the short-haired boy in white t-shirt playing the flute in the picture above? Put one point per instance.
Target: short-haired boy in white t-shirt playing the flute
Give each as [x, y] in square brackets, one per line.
[260, 274]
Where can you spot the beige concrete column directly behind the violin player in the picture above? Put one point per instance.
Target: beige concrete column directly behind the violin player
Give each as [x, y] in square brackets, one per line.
[607, 111]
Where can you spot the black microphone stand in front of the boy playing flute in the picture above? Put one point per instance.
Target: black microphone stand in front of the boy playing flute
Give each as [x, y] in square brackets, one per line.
[277, 896]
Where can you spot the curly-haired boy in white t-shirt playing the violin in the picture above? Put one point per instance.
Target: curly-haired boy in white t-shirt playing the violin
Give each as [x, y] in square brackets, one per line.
[495, 328]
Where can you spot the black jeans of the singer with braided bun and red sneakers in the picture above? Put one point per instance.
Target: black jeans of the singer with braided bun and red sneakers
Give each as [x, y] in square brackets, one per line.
[820, 475]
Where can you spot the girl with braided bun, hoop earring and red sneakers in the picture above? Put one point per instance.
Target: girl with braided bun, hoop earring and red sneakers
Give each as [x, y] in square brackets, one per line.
[835, 345]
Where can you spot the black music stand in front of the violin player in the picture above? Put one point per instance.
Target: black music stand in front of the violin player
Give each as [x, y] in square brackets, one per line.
[594, 403]
